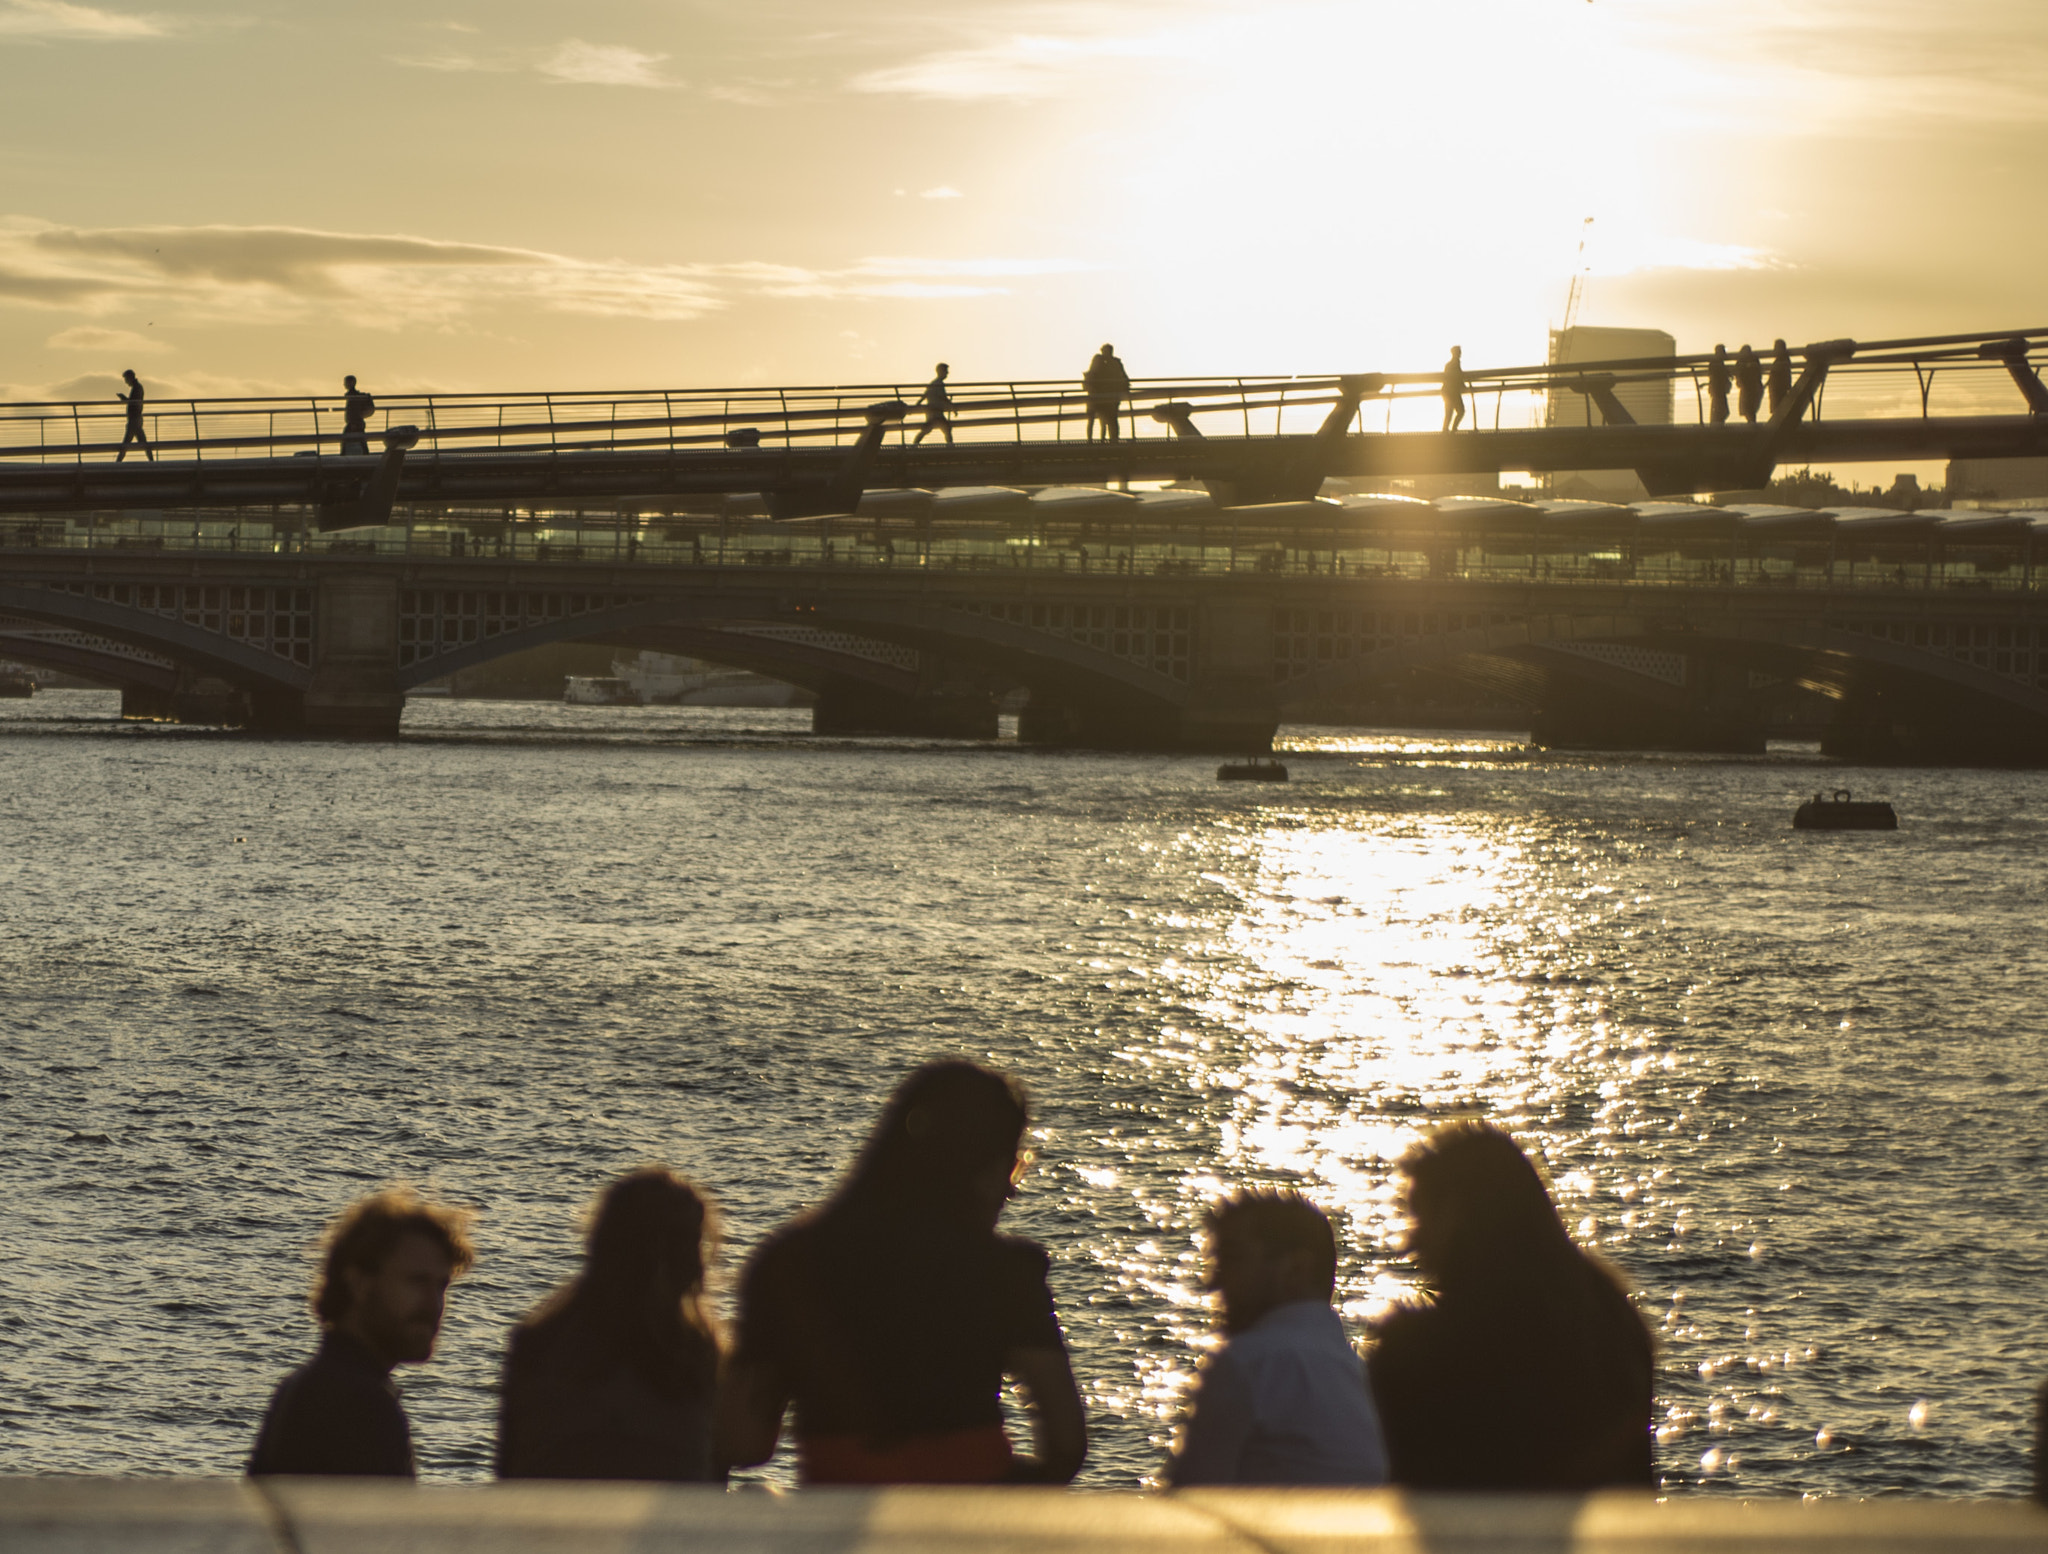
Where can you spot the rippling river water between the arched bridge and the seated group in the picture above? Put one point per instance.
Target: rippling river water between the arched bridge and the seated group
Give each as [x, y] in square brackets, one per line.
[1791, 1084]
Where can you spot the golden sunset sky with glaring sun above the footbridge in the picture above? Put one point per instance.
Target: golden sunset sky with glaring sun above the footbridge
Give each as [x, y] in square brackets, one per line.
[261, 196]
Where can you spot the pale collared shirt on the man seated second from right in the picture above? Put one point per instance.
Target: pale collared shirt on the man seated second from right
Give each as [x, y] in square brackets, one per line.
[1283, 1404]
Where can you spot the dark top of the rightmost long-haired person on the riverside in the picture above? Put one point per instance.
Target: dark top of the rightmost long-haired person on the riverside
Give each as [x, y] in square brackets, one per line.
[1531, 1389]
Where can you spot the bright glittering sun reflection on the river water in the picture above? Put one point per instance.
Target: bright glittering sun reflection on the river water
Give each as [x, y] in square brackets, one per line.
[1363, 986]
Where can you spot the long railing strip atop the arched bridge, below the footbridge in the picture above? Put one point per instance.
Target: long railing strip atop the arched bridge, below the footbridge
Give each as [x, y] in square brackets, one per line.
[1297, 542]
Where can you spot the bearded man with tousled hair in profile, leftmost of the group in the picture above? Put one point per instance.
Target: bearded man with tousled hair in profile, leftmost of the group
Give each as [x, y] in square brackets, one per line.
[380, 1295]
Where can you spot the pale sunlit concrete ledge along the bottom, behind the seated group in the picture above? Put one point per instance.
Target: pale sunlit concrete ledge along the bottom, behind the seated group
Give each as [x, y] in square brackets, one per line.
[308, 1516]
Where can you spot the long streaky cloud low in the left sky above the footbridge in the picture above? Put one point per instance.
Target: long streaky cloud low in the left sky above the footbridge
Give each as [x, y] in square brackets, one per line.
[286, 275]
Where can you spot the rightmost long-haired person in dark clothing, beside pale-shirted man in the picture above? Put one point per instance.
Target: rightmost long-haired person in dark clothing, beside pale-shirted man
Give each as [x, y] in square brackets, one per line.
[1527, 1369]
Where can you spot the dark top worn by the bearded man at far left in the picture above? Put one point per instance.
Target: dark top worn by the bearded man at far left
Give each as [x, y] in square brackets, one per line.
[339, 1414]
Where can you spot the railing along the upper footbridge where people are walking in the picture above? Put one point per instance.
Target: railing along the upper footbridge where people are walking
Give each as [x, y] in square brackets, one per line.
[1973, 374]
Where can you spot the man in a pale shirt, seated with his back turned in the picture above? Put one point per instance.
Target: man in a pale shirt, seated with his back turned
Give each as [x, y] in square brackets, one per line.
[1285, 1401]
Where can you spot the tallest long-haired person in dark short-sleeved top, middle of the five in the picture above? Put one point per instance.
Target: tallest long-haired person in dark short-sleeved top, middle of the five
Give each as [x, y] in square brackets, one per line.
[892, 1315]
